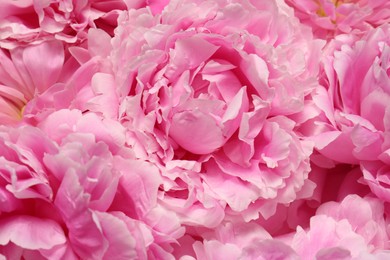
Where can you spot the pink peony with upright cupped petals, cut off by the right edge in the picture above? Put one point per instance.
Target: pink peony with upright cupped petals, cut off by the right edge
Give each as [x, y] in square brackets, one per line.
[351, 123]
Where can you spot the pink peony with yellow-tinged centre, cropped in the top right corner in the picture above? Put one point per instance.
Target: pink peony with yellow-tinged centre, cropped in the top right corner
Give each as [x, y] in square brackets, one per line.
[328, 18]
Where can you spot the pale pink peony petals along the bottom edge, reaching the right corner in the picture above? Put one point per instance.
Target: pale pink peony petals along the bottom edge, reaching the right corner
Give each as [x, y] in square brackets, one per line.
[351, 229]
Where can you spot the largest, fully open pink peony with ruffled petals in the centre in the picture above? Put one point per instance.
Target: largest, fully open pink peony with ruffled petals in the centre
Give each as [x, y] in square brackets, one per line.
[212, 69]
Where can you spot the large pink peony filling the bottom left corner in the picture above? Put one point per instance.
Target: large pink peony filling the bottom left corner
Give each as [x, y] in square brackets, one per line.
[60, 195]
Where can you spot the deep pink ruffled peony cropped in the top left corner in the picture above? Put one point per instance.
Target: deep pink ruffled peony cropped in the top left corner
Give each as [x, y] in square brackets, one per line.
[28, 21]
